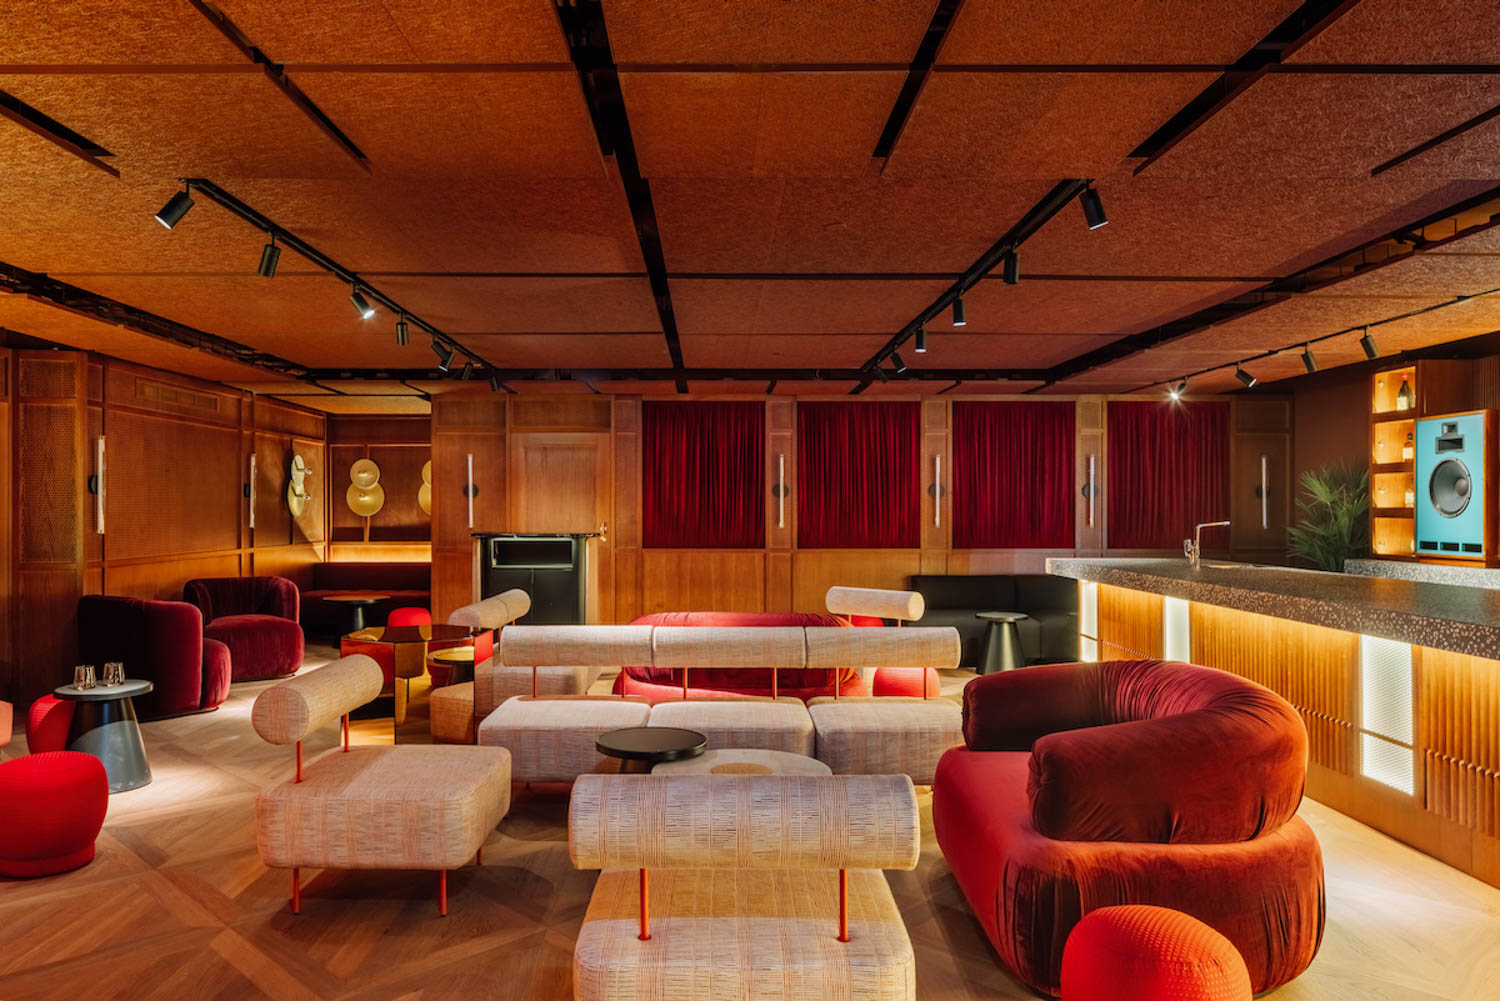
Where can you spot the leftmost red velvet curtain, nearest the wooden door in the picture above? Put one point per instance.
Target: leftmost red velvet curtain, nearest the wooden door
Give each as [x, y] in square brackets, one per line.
[703, 475]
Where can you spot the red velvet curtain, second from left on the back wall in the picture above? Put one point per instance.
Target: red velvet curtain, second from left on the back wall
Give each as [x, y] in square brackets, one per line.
[857, 476]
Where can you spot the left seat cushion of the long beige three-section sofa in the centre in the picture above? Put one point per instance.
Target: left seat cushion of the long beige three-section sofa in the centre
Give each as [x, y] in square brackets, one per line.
[553, 739]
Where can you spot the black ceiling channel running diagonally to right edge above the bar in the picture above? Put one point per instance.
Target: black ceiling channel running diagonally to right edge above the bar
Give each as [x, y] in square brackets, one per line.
[1397, 247]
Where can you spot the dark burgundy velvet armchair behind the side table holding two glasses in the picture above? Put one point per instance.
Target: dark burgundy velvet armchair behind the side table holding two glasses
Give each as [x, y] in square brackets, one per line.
[158, 642]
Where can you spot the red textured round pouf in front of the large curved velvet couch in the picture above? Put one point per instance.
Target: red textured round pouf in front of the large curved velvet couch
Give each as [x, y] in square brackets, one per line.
[1151, 954]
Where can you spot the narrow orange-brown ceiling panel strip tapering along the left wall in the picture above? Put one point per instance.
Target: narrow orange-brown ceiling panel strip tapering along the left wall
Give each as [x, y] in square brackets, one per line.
[47, 322]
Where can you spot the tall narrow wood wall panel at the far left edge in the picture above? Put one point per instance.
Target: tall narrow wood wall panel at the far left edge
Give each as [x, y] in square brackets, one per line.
[47, 457]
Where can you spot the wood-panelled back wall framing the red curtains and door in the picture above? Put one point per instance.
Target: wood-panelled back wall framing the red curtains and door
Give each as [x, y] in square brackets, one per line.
[527, 481]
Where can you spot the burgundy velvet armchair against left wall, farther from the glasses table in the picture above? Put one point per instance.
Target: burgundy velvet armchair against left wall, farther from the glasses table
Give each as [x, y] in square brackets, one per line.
[256, 618]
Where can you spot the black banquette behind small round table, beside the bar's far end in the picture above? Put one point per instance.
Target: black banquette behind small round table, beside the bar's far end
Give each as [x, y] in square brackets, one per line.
[1049, 633]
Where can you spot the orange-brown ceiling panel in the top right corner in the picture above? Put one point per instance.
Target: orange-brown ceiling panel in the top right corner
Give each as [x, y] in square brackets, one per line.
[1408, 32]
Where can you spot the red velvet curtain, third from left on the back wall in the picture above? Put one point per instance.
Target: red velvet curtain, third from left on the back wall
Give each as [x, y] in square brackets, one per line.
[1013, 475]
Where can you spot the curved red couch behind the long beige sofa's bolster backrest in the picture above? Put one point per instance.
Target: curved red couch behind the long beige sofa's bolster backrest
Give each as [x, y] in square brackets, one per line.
[667, 684]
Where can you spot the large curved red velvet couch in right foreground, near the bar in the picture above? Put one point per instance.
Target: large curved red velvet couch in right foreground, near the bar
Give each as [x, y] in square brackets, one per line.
[1091, 786]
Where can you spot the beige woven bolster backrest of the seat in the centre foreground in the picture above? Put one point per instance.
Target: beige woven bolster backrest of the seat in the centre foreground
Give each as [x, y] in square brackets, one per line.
[743, 823]
